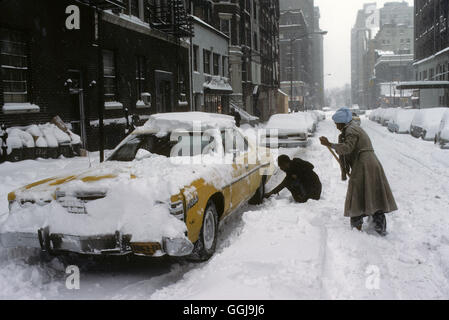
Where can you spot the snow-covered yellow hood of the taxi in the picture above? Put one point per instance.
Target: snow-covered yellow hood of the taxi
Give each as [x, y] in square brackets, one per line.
[157, 177]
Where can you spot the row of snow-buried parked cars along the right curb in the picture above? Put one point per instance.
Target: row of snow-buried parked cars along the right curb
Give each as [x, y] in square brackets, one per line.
[430, 124]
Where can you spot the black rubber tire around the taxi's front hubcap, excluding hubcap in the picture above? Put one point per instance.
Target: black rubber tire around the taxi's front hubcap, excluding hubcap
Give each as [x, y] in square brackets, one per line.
[200, 252]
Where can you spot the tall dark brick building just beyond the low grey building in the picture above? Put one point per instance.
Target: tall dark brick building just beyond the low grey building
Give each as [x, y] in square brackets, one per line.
[253, 30]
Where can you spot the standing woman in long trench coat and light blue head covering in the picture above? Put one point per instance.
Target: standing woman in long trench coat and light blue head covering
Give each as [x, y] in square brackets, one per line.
[369, 193]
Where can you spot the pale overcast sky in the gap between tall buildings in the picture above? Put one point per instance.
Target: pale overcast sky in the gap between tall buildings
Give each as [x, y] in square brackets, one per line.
[338, 17]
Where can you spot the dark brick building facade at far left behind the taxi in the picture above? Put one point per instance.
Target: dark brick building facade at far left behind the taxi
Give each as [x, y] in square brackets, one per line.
[122, 55]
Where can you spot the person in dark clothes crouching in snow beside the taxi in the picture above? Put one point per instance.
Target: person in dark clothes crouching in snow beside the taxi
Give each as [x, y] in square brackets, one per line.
[301, 180]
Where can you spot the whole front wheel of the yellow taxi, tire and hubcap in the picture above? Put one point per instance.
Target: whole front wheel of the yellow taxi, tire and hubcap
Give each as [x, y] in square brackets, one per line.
[206, 244]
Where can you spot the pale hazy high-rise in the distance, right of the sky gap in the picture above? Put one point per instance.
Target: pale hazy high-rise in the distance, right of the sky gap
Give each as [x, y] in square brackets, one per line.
[381, 54]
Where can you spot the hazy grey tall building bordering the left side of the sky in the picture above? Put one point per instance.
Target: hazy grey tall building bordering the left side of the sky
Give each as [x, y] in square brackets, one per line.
[301, 54]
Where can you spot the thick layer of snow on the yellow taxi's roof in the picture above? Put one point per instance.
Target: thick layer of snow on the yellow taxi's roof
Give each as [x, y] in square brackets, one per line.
[188, 120]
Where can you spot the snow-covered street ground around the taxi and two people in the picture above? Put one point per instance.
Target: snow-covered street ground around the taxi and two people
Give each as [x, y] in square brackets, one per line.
[278, 250]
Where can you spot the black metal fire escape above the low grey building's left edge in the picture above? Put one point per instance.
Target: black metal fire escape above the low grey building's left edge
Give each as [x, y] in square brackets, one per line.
[170, 16]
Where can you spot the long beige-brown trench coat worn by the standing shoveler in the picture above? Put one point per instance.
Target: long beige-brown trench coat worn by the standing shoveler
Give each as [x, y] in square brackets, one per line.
[368, 190]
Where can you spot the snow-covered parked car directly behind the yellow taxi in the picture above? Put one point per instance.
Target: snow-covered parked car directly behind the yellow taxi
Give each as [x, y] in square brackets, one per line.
[286, 131]
